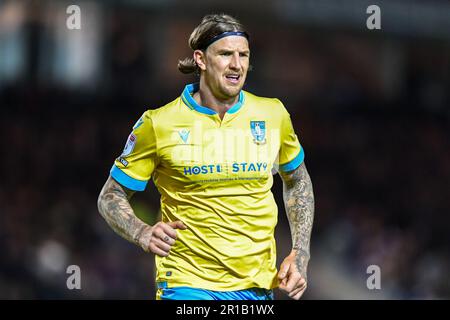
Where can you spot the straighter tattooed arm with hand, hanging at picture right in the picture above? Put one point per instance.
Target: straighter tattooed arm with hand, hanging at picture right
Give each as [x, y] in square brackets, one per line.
[299, 202]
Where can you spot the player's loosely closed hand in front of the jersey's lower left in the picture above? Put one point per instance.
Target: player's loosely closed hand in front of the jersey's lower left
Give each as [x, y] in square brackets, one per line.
[160, 238]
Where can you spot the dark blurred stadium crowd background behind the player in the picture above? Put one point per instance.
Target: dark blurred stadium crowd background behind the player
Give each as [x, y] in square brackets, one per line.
[371, 109]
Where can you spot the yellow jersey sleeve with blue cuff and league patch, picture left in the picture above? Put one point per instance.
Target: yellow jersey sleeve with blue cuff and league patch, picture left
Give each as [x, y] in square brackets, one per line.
[134, 167]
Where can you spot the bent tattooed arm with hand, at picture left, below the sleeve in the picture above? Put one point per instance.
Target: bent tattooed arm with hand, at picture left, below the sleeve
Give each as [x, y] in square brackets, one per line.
[114, 206]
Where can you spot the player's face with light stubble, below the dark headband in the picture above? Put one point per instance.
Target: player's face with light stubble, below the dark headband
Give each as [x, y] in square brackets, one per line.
[226, 63]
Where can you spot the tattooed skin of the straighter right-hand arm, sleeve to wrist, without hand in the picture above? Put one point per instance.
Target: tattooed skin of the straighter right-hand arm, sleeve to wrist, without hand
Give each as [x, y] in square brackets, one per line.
[299, 202]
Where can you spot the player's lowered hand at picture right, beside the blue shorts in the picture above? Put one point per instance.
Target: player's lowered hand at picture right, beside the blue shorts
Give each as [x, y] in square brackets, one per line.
[292, 281]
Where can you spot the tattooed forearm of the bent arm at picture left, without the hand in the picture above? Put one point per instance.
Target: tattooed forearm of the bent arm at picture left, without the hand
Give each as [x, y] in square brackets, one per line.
[113, 204]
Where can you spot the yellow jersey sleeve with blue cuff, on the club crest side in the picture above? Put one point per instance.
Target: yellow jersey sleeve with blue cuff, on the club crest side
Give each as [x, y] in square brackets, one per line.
[291, 154]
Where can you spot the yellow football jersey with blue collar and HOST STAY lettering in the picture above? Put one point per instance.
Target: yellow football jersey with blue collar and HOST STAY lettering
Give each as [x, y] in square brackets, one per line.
[215, 175]
